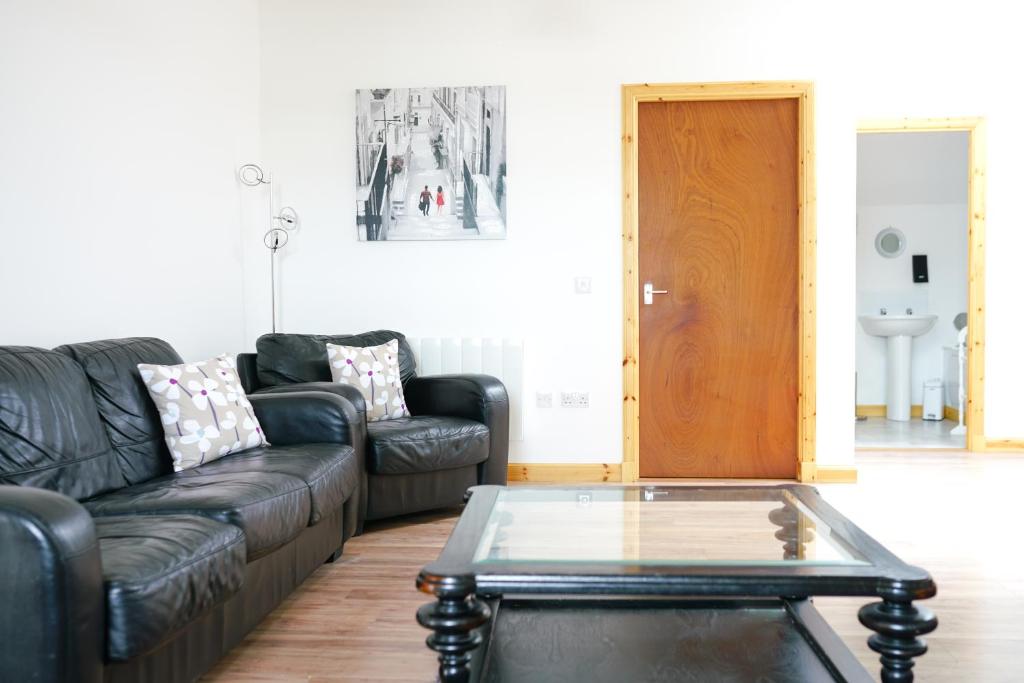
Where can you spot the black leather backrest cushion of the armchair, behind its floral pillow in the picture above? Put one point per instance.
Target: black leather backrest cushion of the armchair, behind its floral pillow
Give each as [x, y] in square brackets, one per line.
[288, 359]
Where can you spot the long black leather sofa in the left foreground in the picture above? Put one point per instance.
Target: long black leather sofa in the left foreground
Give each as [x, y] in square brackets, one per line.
[113, 567]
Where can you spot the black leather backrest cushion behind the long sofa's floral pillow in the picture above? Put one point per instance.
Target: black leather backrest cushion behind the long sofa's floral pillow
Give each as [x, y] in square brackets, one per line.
[130, 415]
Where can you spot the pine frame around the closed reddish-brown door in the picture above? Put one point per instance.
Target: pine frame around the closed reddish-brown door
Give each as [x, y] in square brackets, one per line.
[806, 466]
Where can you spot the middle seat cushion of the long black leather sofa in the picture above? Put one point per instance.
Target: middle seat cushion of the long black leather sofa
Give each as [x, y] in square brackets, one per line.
[271, 508]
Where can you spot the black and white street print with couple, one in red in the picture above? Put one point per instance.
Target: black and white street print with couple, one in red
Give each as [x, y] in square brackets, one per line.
[432, 163]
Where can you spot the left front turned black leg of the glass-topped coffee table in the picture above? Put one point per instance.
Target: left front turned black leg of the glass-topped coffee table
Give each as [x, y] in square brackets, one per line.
[453, 619]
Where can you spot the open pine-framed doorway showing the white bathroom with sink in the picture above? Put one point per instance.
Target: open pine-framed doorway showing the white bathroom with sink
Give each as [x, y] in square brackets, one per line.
[920, 285]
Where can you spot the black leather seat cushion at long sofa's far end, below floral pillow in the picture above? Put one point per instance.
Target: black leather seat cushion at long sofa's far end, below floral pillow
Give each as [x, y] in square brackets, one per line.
[330, 472]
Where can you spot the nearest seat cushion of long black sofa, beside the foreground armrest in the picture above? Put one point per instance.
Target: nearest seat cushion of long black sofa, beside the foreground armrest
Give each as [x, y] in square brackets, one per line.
[160, 574]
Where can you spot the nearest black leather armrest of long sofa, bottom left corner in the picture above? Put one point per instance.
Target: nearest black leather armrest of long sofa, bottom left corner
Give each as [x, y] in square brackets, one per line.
[52, 588]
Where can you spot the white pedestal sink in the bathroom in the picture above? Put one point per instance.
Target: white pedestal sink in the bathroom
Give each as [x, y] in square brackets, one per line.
[900, 332]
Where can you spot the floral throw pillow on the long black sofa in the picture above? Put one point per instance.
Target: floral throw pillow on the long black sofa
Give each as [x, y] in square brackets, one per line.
[205, 413]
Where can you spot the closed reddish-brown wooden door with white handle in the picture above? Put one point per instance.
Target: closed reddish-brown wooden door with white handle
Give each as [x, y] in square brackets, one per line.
[718, 230]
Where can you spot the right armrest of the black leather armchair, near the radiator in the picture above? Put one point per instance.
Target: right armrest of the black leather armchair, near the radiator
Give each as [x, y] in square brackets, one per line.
[479, 398]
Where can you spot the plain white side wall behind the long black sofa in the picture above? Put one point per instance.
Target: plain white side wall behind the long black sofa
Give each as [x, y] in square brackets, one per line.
[121, 125]
